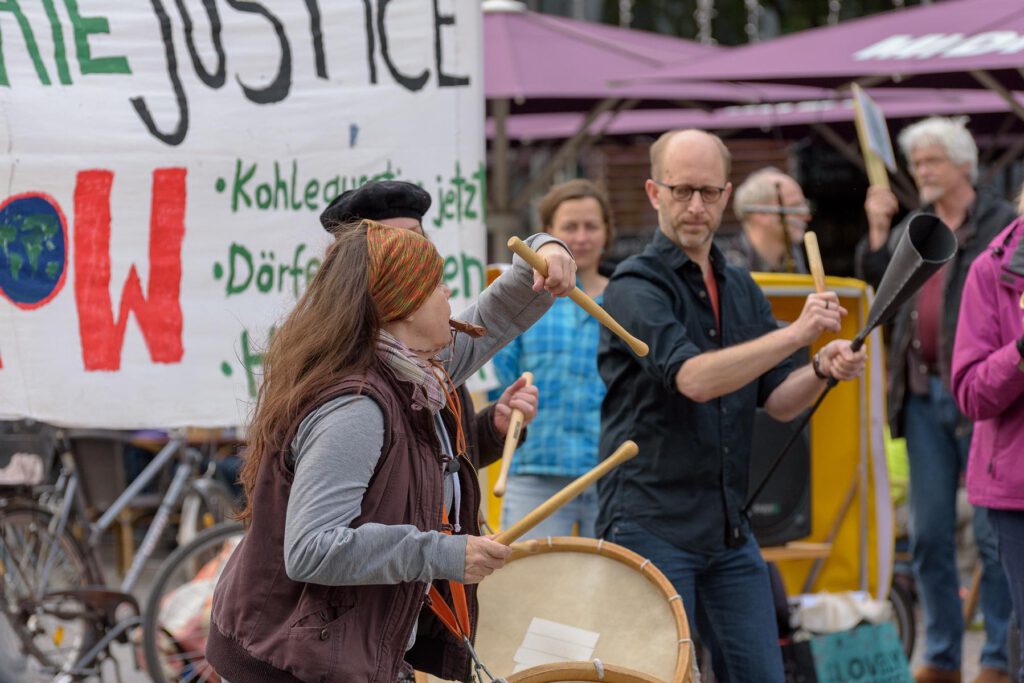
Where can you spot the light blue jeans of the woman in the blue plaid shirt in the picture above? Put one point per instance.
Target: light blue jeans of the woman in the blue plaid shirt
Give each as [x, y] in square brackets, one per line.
[526, 492]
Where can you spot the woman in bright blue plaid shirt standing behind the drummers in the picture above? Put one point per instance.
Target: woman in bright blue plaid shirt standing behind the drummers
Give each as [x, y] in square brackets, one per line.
[562, 352]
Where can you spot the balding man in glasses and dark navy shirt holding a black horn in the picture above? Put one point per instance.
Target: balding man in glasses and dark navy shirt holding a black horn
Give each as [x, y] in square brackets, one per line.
[716, 354]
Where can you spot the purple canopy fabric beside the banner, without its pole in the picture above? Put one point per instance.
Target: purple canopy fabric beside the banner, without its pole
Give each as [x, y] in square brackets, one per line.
[530, 57]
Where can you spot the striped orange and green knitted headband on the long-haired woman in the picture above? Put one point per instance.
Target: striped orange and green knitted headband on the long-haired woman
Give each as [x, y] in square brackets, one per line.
[405, 270]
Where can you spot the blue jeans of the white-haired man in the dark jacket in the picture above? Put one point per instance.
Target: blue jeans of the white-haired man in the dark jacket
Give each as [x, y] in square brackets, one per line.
[937, 457]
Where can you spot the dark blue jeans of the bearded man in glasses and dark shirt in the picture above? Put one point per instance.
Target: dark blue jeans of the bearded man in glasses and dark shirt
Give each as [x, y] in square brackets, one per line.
[728, 596]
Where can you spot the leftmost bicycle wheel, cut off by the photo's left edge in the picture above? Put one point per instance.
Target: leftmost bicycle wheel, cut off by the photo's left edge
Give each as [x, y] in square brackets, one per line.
[55, 630]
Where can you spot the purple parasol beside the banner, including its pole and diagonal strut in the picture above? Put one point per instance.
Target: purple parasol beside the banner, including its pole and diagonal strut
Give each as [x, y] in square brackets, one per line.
[536, 64]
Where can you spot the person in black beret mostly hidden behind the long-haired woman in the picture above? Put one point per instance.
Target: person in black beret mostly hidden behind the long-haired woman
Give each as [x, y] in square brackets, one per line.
[402, 204]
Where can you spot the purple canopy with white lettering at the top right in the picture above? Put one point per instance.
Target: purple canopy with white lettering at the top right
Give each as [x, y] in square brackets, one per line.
[946, 45]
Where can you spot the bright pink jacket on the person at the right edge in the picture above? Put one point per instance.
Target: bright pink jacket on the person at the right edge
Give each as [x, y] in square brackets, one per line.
[988, 379]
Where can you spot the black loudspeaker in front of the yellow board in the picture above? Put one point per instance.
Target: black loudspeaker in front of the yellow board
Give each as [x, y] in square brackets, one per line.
[783, 511]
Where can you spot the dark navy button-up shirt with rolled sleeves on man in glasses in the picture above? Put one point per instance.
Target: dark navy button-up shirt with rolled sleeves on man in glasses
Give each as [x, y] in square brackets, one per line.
[690, 482]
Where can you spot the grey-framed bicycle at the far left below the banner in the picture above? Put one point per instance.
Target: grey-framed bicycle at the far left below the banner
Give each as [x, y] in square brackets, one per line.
[52, 580]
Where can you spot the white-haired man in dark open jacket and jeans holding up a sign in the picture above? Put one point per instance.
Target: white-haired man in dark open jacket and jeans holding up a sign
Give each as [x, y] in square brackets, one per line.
[944, 161]
